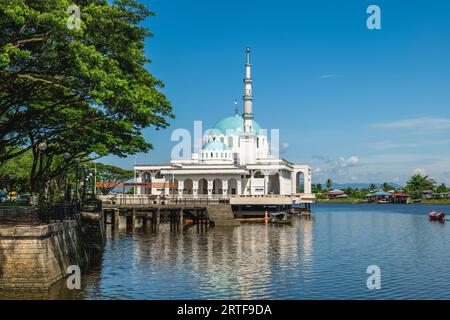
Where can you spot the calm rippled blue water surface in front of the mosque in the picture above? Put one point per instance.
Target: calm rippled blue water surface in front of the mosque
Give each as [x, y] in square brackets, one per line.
[322, 258]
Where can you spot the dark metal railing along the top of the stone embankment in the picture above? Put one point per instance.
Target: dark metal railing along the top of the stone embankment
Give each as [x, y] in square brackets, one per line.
[33, 216]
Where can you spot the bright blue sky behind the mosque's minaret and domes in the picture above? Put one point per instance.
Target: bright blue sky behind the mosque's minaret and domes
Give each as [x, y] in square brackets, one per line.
[358, 105]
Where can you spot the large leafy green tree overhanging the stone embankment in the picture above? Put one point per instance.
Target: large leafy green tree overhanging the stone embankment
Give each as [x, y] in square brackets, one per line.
[81, 91]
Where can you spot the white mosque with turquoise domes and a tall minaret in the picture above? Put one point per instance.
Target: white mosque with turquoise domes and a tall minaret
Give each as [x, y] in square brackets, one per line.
[236, 162]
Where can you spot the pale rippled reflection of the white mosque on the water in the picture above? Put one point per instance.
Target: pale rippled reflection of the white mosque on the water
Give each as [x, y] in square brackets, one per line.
[238, 263]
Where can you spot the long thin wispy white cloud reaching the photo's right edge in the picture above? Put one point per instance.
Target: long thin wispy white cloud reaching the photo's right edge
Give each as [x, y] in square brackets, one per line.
[423, 123]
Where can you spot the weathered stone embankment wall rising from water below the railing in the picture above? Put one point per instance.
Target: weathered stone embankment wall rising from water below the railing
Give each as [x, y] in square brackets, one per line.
[35, 257]
